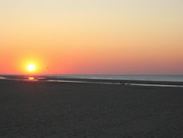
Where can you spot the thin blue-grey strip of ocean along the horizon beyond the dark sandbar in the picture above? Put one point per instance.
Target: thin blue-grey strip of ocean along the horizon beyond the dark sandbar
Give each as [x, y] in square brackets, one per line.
[174, 78]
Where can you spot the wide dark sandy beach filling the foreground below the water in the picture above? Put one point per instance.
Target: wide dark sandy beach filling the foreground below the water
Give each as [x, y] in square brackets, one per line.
[42, 109]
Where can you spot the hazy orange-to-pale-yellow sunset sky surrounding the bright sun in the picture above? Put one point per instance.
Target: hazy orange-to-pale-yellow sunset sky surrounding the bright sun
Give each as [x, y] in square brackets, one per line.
[92, 36]
